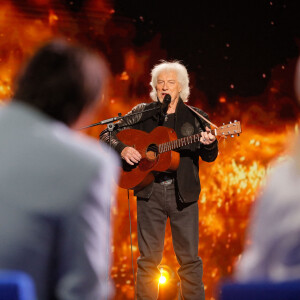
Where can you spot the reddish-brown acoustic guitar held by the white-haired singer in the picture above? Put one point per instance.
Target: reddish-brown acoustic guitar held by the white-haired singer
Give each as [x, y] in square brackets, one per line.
[156, 151]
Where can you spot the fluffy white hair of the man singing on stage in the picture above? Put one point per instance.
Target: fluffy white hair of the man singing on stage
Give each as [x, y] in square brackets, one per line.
[182, 77]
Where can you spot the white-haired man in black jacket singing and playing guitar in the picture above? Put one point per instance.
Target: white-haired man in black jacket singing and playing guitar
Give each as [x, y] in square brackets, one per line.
[174, 194]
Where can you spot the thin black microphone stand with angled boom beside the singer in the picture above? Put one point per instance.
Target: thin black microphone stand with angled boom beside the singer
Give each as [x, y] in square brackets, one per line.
[111, 126]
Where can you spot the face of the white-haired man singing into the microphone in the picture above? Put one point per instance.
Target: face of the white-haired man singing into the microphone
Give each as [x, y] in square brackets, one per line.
[167, 83]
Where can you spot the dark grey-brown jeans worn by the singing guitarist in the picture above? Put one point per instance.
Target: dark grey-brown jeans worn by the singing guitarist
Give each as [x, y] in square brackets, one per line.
[152, 215]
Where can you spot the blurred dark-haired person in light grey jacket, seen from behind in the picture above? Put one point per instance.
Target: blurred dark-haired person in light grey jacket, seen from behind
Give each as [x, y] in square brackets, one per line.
[56, 186]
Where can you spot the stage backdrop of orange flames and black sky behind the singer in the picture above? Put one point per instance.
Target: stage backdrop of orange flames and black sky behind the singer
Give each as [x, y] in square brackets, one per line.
[241, 57]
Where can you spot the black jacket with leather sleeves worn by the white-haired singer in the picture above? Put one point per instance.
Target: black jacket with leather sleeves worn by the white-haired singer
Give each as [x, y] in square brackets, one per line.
[186, 123]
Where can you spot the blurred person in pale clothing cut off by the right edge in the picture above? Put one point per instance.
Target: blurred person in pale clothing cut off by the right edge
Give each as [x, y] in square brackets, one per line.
[274, 253]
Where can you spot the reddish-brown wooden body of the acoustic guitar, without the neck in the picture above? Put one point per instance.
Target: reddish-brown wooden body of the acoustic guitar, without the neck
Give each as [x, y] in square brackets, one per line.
[141, 174]
